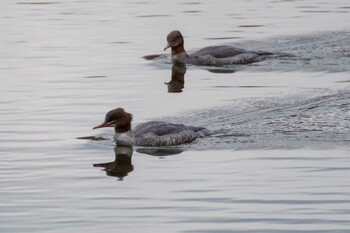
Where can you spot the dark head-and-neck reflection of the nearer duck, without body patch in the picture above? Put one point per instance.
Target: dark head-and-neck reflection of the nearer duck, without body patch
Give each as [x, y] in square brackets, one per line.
[121, 166]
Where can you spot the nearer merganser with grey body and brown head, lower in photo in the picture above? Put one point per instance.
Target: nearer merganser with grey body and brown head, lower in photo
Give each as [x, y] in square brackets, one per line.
[153, 133]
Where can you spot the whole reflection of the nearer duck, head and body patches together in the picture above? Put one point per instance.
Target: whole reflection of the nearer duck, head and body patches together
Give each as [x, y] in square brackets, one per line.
[122, 164]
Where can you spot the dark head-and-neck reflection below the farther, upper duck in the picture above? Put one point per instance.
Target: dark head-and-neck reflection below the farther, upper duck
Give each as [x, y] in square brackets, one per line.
[177, 82]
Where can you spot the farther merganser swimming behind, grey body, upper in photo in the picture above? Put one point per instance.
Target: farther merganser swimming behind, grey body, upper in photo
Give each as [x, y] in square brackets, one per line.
[212, 55]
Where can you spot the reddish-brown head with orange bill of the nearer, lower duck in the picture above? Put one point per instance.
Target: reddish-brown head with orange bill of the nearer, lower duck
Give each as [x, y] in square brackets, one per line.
[117, 118]
